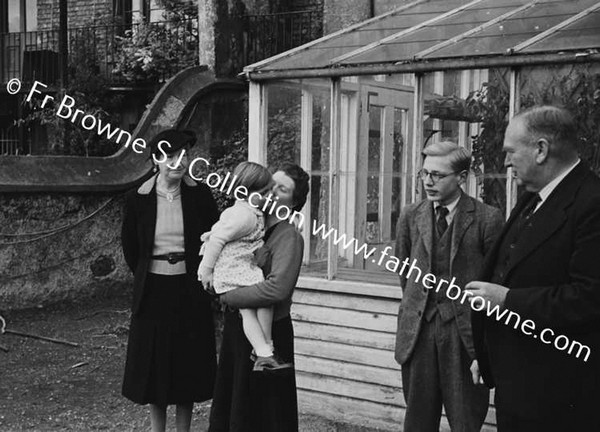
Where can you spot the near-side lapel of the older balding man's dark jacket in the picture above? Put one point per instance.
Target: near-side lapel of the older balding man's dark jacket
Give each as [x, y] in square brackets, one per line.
[550, 216]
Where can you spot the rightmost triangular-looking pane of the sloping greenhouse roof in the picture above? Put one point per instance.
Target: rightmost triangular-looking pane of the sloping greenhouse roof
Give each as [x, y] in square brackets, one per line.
[582, 34]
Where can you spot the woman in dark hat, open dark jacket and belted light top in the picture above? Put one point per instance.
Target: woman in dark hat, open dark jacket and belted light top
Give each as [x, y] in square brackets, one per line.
[171, 355]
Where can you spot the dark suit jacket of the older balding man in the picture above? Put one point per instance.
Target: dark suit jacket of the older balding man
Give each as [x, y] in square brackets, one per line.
[554, 280]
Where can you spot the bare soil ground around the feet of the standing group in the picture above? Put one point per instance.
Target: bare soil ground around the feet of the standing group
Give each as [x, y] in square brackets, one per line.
[46, 386]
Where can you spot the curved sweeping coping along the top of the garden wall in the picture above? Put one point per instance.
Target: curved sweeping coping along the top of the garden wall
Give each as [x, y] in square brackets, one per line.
[125, 168]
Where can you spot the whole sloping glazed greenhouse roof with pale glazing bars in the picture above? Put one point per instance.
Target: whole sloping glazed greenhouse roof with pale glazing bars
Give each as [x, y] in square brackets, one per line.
[427, 35]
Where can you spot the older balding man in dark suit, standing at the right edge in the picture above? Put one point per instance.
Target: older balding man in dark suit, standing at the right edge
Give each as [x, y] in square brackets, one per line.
[545, 268]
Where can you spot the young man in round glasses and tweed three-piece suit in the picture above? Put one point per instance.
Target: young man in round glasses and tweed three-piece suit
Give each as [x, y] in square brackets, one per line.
[448, 234]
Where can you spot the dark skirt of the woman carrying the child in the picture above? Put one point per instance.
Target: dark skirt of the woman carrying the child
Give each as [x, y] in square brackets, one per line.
[246, 401]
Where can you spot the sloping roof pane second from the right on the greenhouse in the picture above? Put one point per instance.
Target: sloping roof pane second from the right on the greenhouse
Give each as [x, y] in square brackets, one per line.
[518, 28]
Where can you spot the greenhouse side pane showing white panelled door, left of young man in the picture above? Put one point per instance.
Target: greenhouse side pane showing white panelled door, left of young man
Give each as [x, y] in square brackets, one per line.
[371, 180]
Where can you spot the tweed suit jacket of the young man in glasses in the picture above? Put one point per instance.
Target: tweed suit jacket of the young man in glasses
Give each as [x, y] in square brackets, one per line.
[475, 228]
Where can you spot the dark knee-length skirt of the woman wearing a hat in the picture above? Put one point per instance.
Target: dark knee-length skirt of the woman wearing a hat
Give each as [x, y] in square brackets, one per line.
[171, 349]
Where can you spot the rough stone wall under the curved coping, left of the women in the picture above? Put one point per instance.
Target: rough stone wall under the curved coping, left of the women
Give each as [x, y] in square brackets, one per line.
[55, 247]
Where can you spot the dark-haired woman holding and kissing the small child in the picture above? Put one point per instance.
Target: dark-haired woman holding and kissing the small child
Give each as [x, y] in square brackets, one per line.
[246, 401]
